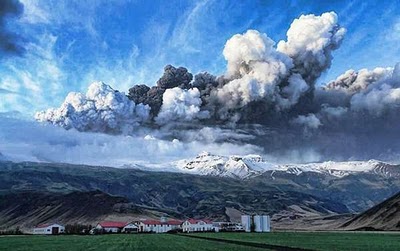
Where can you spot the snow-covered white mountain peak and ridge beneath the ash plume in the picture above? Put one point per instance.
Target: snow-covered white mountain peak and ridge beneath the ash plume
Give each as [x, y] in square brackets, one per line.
[254, 165]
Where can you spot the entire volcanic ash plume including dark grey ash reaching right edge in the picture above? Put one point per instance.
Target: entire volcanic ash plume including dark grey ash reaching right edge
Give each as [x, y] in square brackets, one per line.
[268, 97]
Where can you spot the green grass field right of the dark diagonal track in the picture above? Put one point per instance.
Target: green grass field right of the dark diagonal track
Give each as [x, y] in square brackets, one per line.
[319, 240]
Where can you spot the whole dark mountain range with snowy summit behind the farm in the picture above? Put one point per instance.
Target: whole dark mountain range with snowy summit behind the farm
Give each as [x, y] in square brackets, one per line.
[35, 192]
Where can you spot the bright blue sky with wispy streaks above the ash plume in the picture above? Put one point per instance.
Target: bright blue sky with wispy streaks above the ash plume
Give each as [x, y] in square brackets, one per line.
[69, 44]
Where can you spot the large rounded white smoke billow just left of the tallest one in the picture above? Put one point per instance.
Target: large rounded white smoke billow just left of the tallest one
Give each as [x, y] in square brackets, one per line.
[256, 67]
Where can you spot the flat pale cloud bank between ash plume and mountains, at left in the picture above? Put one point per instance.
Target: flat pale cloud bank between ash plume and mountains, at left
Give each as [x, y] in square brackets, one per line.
[52, 144]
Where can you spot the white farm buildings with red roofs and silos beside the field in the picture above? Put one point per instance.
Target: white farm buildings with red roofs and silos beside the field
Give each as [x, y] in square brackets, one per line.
[257, 223]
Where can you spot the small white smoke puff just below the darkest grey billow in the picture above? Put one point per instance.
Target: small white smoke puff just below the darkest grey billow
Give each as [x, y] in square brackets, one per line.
[180, 105]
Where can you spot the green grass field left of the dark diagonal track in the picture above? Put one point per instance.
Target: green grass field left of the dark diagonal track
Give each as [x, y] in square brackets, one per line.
[149, 242]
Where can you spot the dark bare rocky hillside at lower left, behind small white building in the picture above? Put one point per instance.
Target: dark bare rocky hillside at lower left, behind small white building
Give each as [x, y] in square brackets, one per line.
[27, 209]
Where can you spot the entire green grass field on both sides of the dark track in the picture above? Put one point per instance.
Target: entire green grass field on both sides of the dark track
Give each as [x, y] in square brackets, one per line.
[307, 240]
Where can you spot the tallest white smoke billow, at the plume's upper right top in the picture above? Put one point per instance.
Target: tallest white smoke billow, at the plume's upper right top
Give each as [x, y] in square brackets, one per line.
[310, 42]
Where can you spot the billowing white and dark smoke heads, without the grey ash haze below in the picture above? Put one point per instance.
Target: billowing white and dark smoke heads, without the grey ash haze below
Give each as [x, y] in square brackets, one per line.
[256, 71]
